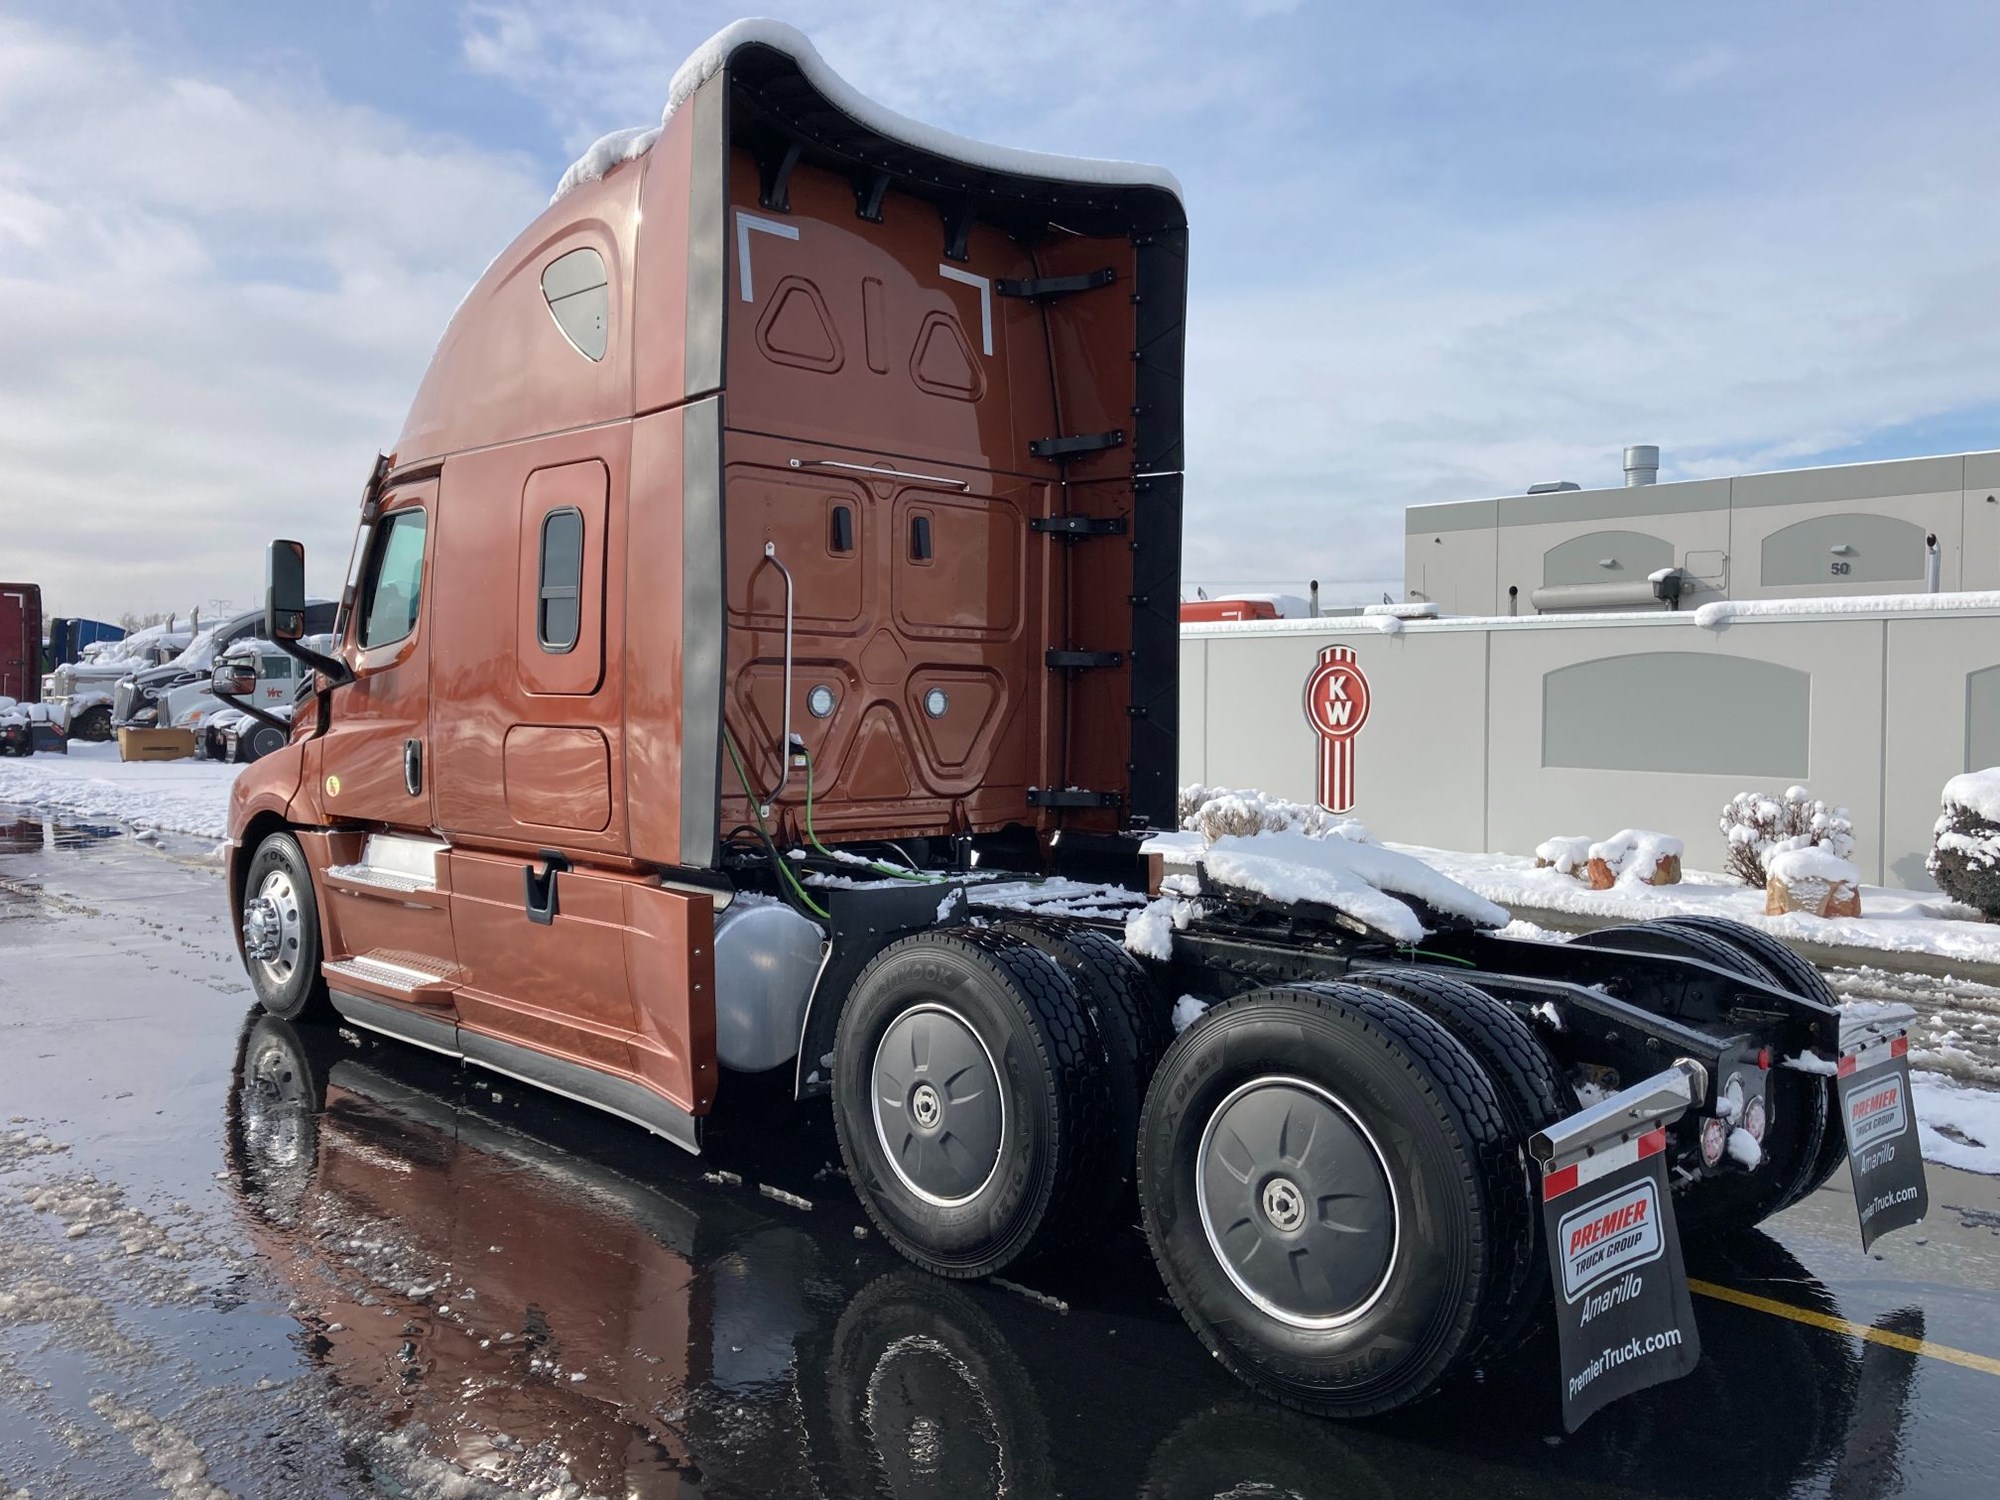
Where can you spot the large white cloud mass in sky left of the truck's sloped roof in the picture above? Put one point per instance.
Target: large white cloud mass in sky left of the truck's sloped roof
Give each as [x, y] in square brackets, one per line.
[217, 301]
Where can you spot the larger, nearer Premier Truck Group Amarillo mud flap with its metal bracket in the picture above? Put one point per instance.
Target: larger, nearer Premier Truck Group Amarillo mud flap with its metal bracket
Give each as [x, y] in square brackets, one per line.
[1625, 1319]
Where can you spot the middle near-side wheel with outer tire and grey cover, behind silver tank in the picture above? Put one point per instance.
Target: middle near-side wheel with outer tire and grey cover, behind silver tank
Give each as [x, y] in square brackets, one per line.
[971, 1101]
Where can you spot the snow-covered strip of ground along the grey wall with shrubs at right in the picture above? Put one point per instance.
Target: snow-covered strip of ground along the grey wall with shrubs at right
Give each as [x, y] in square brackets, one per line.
[1893, 921]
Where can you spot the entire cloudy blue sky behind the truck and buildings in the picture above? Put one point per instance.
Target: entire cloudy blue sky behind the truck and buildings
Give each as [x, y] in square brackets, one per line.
[1439, 249]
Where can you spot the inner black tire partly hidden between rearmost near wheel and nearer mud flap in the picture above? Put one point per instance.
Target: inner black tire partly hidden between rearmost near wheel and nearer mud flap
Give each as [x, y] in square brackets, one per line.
[1533, 1095]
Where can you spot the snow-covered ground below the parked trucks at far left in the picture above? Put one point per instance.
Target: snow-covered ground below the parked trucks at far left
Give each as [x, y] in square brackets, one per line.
[173, 797]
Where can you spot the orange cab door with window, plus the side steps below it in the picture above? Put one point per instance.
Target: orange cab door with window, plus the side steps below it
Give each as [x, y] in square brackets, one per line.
[383, 875]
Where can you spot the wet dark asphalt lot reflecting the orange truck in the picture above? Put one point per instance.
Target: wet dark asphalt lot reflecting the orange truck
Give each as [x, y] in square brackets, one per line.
[265, 1261]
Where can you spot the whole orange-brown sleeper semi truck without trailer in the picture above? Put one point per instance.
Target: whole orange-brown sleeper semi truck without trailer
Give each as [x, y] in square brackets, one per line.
[761, 651]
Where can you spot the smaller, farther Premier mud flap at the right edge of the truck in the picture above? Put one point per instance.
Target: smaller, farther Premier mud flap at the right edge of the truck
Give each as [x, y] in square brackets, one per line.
[1881, 1121]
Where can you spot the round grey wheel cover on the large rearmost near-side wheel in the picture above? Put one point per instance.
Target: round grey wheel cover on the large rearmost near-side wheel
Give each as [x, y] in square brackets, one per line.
[1297, 1203]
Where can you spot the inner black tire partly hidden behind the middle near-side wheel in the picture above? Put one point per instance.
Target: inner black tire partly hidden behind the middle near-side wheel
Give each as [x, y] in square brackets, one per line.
[1131, 1027]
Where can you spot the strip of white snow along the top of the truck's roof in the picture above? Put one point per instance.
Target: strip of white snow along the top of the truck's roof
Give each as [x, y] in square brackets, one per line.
[859, 111]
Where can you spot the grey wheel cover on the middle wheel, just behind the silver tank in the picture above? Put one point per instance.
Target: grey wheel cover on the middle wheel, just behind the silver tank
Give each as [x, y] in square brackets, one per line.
[937, 1105]
